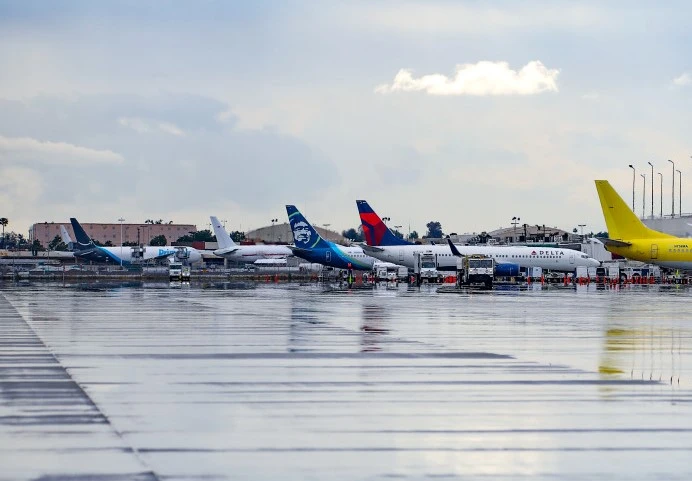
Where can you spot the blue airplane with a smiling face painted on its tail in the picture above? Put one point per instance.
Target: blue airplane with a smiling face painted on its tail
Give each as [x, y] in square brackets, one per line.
[309, 245]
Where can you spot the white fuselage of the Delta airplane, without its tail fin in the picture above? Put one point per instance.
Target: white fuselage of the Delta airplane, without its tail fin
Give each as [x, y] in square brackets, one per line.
[550, 258]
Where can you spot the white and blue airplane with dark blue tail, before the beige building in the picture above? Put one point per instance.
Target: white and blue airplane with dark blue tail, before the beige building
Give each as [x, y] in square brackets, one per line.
[84, 248]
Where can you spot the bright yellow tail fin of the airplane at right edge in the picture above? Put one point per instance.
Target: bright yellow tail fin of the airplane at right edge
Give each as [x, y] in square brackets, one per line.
[621, 222]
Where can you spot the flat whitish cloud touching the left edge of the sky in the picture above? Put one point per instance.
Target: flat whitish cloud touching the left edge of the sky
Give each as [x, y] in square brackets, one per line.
[56, 153]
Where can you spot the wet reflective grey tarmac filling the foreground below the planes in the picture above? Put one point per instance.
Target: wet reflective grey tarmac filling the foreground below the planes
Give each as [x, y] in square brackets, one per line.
[289, 381]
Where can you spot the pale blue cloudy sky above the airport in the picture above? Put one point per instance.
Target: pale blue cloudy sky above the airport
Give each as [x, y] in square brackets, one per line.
[466, 113]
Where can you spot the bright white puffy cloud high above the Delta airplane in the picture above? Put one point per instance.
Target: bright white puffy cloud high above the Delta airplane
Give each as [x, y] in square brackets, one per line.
[482, 78]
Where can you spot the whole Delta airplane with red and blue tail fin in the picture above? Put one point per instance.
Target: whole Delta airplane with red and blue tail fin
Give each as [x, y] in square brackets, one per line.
[384, 245]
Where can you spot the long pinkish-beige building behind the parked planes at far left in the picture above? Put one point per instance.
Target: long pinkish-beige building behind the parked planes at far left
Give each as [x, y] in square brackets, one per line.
[45, 232]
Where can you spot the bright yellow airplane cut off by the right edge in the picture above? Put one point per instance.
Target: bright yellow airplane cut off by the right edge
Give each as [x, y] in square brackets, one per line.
[630, 238]
